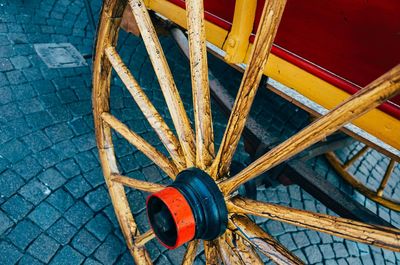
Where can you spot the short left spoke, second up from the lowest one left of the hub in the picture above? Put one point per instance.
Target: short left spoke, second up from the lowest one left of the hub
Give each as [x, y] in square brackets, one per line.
[159, 159]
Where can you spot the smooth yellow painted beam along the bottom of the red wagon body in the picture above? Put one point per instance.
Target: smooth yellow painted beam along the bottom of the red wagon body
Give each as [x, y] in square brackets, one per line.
[375, 122]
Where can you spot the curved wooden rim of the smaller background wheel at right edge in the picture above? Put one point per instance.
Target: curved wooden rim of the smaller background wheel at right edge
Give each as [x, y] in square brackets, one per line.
[358, 185]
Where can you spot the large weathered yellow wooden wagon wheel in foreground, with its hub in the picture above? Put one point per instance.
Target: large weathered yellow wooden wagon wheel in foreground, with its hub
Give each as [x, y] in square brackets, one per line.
[200, 175]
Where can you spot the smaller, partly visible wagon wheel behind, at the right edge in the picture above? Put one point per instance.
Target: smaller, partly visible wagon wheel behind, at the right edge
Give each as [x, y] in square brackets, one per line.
[374, 193]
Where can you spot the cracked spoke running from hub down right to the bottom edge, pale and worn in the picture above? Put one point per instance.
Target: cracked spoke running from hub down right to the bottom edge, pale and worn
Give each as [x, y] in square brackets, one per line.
[262, 240]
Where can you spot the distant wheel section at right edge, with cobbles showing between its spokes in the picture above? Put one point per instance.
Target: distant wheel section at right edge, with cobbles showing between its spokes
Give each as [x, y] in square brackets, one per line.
[348, 160]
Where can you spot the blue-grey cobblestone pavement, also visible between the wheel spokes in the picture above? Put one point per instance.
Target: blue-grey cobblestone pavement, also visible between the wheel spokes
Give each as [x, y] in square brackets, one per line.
[54, 207]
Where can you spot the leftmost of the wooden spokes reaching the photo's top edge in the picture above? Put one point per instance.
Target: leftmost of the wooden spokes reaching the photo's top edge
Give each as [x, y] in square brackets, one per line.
[167, 84]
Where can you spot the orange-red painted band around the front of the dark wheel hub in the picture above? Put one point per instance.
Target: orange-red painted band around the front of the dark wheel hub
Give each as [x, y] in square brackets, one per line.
[181, 213]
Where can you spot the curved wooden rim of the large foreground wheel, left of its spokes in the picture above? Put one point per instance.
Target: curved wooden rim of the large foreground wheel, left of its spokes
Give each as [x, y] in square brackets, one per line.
[107, 36]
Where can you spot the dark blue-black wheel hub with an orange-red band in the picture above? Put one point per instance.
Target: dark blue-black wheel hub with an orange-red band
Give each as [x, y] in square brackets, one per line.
[192, 207]
